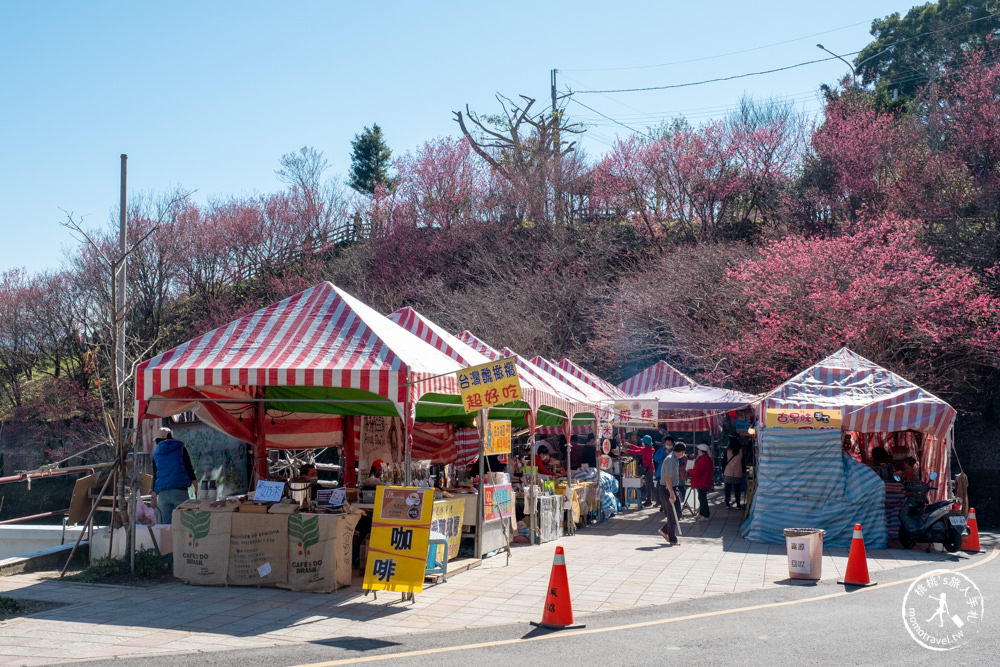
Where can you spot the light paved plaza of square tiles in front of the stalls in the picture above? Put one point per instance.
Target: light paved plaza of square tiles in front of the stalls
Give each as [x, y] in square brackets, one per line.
[619, 564]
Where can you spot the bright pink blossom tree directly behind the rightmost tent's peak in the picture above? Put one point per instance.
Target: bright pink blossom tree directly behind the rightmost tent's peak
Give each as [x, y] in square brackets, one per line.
[877, 290]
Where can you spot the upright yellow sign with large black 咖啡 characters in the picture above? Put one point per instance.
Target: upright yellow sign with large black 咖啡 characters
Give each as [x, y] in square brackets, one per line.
[397, 551]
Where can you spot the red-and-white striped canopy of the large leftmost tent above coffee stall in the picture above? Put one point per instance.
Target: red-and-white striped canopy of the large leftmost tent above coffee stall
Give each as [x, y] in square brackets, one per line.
[307, 359]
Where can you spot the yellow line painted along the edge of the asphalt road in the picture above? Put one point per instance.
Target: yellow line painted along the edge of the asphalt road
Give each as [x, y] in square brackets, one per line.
[645, 624]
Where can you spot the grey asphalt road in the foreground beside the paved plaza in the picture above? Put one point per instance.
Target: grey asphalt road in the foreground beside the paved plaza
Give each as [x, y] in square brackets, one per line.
[796, 624]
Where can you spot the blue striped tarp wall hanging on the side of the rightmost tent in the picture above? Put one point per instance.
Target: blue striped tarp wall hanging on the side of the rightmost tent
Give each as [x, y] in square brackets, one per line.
[804, 480]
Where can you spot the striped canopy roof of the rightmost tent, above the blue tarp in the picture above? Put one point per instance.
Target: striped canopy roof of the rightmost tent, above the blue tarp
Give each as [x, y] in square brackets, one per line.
[872, 400]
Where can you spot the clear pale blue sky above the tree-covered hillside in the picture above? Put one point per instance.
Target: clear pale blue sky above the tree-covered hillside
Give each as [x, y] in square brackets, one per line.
[208, 95]
